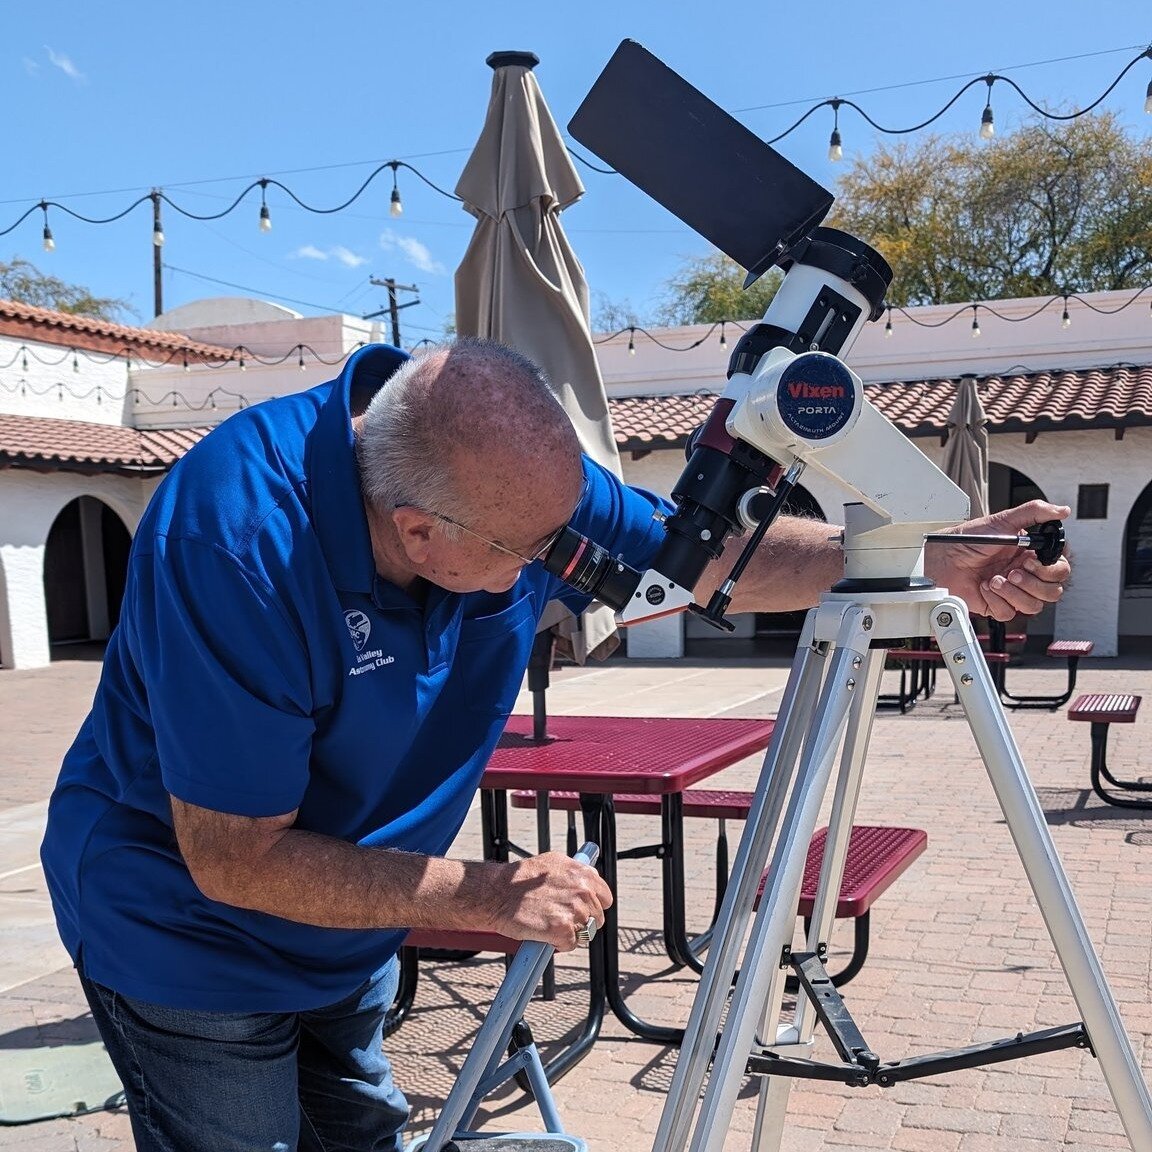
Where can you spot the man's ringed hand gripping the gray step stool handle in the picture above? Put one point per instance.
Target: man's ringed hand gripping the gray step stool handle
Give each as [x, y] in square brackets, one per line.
[550, 897]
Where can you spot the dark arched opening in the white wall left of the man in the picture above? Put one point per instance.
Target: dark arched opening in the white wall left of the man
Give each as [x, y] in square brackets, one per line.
[86, 565]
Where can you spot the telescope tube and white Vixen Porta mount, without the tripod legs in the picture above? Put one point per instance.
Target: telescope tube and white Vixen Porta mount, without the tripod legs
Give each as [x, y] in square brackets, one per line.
[791, 403]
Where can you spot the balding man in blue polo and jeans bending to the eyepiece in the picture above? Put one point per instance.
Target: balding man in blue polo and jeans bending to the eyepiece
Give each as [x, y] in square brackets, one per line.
[330, 608]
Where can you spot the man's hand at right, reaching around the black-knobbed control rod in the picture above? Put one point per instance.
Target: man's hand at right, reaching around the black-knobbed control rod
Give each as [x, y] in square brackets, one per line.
[1002, 582]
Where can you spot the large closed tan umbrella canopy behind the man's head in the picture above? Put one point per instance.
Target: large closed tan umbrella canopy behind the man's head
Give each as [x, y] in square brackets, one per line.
[520, 282]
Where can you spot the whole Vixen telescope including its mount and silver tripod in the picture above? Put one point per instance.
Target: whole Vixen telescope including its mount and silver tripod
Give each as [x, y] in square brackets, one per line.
[791, 404]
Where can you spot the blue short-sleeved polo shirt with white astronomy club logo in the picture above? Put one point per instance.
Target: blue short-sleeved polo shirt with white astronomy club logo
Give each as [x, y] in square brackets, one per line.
[261, 666]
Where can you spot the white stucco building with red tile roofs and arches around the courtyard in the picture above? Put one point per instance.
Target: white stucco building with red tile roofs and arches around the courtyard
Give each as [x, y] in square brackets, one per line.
[93, 415]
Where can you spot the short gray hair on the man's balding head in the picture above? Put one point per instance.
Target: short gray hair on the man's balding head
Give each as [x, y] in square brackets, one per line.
[412, 429]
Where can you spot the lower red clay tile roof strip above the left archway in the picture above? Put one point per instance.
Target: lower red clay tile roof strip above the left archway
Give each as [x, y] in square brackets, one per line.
[74, 446]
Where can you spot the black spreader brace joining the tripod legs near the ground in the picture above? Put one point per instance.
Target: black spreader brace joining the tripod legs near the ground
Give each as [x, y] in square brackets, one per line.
[862, 1067]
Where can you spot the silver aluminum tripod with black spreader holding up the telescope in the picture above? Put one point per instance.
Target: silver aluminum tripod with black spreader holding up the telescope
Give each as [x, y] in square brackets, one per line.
[829, 707]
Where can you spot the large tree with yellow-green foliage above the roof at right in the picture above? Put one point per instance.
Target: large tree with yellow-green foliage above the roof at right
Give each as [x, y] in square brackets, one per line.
[1052, 209]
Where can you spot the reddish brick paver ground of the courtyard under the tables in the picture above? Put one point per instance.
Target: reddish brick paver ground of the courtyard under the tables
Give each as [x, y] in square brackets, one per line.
[960, 953]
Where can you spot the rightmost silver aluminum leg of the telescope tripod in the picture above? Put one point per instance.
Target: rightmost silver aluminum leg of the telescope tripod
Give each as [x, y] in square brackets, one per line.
[1045, 874]
